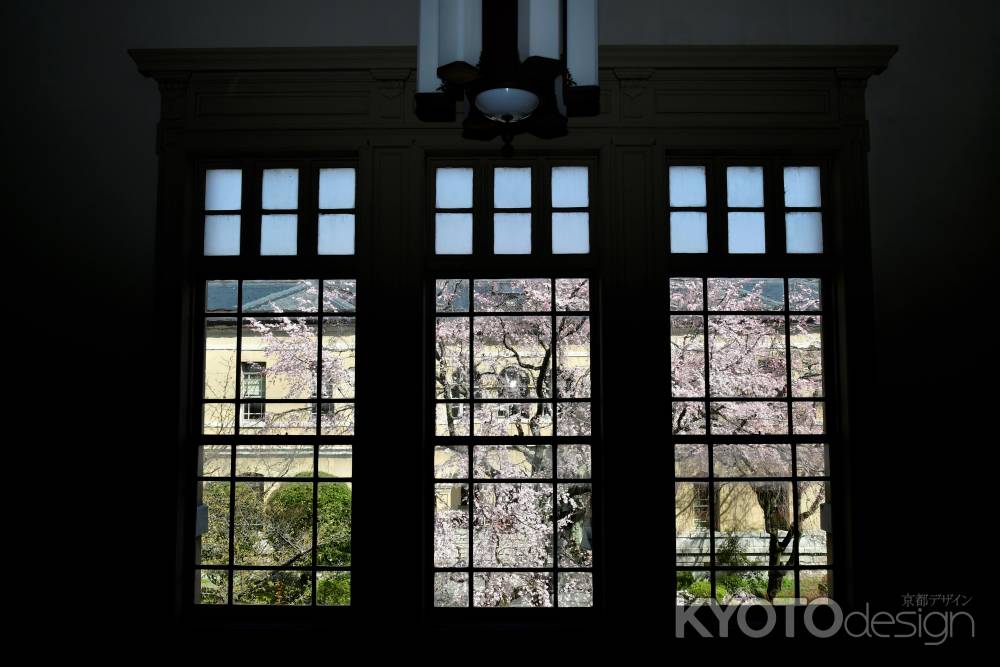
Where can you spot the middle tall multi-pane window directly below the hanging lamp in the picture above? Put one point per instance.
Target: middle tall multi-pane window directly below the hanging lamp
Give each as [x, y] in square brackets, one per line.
[513, 411]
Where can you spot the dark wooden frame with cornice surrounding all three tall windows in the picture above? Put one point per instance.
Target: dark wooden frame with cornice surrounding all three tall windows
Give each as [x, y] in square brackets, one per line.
[223, 106]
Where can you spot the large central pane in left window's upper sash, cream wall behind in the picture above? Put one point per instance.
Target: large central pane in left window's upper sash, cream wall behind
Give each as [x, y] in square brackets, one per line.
[278, 357]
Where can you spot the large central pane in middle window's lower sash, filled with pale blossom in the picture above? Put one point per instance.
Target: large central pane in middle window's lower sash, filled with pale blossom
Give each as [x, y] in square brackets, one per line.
[512, 525]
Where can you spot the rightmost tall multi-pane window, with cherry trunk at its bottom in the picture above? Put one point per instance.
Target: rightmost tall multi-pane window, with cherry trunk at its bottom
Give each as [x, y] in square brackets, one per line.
[748, 383]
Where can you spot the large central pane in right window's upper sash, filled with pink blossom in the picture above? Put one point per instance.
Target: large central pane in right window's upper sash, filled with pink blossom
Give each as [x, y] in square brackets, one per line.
[746, 356]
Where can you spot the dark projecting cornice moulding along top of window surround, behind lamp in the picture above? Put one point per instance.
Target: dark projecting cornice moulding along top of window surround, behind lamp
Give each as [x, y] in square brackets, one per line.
[860, 60]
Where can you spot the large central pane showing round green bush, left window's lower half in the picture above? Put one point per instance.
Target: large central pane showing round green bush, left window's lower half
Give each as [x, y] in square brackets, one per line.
[273, 523]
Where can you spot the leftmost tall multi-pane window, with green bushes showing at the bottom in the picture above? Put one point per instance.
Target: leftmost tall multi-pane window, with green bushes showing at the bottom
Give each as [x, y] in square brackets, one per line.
[274, 477]
